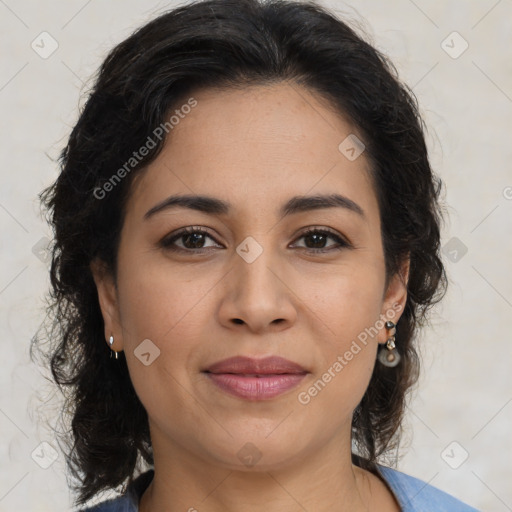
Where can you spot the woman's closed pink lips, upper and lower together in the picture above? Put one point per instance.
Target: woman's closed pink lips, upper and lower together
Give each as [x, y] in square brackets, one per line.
[256, 379]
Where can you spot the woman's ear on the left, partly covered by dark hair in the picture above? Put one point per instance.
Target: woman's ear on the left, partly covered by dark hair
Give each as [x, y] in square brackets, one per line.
[107, 297]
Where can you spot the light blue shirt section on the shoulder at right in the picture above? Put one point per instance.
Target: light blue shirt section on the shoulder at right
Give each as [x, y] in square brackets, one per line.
[415, 495]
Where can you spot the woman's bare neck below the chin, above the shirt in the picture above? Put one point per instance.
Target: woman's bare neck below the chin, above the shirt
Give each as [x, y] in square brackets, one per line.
[323, 481]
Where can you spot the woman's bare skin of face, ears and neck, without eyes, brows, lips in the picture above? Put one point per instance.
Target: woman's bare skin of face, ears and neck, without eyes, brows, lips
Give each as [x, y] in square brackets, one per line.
[255, 148]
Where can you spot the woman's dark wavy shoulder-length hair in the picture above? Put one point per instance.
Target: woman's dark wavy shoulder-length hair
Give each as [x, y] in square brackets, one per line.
[224, 44]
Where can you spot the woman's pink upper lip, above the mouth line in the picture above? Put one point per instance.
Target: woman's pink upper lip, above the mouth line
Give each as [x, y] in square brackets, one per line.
[272, 365]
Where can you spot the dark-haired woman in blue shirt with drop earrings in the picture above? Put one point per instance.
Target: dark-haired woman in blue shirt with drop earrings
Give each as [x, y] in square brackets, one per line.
[247, 219]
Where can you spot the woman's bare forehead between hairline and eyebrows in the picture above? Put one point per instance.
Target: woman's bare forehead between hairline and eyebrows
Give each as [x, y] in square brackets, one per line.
[258, 146]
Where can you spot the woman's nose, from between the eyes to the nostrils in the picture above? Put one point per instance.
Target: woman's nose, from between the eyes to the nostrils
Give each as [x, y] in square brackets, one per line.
[258, 296]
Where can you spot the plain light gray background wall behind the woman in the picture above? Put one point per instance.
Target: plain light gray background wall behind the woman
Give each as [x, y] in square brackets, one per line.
[465, 390]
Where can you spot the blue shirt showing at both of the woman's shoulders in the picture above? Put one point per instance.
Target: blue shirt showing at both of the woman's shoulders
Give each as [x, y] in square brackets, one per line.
[412, 494]
